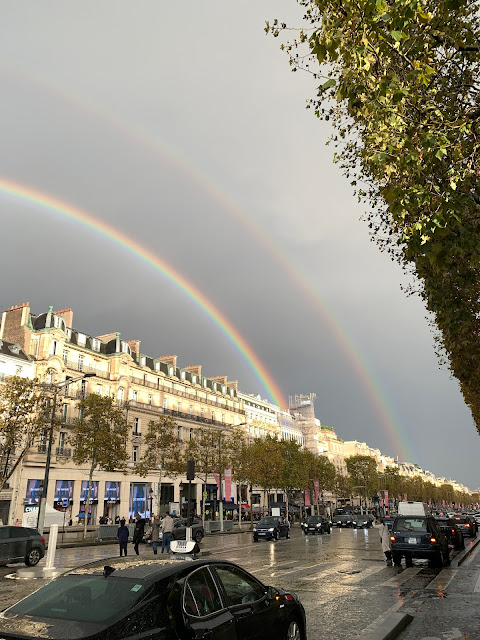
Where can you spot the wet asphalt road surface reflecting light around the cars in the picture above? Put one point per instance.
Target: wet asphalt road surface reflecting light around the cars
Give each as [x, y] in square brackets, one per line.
[341, 579]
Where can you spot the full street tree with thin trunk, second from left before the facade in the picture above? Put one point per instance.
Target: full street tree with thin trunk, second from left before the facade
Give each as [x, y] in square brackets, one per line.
[99, 439]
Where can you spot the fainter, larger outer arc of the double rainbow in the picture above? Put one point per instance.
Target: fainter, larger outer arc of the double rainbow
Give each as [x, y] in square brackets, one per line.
[370, 382]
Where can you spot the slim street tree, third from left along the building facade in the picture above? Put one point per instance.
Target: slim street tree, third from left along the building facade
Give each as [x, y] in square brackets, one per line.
[161, 451]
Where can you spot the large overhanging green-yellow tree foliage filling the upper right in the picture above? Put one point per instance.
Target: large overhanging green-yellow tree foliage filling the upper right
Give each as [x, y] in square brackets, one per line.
[399, 82]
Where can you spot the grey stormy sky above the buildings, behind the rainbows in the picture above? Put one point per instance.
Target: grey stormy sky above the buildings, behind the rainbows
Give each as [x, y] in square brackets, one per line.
[182, 127]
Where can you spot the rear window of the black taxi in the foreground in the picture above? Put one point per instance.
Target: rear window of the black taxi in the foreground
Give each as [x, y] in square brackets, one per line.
[82, 598]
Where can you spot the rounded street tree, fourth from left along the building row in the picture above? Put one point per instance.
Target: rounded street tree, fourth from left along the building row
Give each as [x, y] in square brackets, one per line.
[213, 451]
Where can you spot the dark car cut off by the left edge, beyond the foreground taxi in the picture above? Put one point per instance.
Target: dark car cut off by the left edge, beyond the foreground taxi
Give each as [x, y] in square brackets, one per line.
[21, 544]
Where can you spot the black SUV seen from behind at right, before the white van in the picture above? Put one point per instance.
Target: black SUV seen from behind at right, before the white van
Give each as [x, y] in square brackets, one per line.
[418, 536]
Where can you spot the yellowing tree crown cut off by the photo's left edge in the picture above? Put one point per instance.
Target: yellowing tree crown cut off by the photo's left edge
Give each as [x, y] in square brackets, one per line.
[23, 415]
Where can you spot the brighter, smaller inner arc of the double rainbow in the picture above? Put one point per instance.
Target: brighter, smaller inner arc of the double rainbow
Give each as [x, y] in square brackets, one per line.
[37, 198]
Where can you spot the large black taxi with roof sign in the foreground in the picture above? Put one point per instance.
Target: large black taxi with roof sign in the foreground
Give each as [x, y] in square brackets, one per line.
[161, 600]
